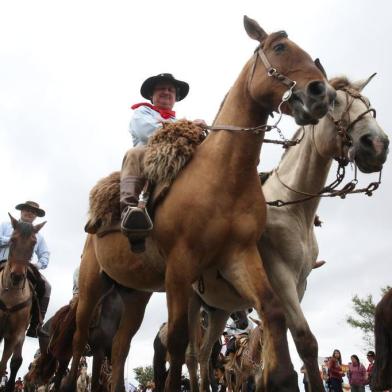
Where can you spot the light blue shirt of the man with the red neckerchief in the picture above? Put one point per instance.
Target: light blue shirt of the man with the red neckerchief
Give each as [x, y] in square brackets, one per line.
[144, 122]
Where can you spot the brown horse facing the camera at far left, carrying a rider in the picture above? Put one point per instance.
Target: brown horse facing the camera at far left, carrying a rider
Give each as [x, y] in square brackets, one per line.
[16, 296]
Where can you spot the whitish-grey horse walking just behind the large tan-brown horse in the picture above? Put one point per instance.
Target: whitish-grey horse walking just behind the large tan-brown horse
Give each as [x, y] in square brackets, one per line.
[288, 246]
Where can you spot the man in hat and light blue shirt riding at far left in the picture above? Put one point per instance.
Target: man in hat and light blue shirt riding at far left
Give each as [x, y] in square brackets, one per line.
[29, 211]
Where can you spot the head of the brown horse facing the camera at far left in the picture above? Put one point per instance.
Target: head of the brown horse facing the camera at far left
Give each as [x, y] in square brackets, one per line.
[22, 242]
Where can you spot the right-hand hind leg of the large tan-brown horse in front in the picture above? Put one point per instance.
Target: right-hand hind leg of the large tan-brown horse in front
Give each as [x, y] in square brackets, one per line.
[135, 303]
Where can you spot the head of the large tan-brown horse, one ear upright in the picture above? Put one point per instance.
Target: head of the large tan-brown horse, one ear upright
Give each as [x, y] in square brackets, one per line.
[280, 65]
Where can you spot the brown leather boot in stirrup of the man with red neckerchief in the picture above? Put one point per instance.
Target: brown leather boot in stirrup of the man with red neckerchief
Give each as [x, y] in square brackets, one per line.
[136, 224]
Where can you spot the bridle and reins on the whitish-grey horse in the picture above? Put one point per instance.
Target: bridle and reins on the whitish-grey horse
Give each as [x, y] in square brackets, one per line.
[343, 125]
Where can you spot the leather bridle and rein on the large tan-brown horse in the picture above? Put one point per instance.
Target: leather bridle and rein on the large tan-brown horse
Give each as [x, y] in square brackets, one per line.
[260, 129]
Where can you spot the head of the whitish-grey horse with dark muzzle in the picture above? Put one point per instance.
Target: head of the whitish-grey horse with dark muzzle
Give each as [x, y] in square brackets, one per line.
[351, 131]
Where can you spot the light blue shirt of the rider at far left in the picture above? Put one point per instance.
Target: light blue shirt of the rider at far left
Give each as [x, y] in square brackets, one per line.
[40, 249]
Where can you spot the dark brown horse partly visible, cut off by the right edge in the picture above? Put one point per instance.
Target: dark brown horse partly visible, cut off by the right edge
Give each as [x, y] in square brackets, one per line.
[382, 377]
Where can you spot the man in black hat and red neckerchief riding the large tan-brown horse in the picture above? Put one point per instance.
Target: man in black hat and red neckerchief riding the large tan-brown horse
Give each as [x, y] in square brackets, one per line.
[163, 91]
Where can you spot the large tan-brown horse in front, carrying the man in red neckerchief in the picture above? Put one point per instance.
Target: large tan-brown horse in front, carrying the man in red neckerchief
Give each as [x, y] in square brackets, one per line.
[214, 213]
